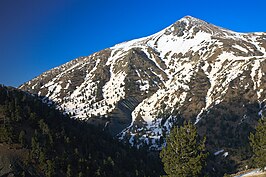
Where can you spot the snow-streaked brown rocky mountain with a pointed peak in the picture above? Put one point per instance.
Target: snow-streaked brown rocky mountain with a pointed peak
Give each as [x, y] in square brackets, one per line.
[191, 70]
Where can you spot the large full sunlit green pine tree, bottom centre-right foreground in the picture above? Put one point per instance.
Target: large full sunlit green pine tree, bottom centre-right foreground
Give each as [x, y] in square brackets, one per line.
[184, 154]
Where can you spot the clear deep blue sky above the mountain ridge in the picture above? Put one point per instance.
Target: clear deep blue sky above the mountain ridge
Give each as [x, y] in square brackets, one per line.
[37, 35]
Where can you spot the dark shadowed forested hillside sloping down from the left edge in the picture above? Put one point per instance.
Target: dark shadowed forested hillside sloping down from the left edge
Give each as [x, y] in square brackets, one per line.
[38, 140]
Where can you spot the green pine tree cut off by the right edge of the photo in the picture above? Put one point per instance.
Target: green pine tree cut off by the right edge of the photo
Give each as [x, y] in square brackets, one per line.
[258, 144]
